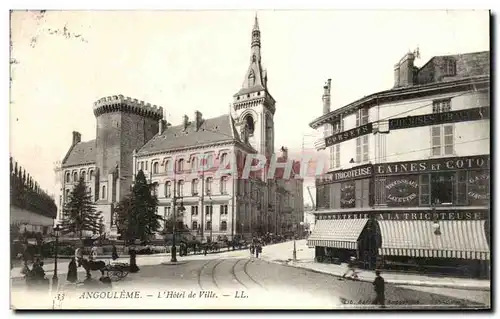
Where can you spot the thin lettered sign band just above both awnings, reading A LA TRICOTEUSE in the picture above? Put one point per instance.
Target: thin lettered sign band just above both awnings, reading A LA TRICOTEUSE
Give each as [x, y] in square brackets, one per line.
[405, 215]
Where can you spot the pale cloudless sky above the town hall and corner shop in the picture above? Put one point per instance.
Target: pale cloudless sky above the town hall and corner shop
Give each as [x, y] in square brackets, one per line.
[196, 60]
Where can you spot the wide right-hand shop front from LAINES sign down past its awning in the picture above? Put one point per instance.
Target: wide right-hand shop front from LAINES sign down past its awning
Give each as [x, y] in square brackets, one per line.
[434, 214]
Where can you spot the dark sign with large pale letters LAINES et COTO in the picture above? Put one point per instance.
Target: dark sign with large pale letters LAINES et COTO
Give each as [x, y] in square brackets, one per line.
[433, 165]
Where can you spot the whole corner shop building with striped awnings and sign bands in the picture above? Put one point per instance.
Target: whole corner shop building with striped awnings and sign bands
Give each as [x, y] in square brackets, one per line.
[409, 169]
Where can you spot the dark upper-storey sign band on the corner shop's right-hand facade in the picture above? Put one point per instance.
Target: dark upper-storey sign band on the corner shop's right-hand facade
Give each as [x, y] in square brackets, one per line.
[473, 114]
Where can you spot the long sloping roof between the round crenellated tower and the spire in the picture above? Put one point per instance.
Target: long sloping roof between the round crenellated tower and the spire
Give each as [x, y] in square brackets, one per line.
[213, 130]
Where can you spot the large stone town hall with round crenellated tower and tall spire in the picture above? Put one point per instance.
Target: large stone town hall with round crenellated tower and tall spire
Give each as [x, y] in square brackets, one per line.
[187, 162]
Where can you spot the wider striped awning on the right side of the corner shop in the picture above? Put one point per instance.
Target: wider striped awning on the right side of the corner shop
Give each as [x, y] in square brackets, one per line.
[462, 239]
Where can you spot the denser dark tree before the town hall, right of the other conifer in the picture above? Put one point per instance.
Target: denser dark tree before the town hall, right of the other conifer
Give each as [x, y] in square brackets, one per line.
[136, 214]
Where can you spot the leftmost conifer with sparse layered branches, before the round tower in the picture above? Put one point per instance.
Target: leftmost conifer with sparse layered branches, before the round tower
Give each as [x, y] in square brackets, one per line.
[79, 212]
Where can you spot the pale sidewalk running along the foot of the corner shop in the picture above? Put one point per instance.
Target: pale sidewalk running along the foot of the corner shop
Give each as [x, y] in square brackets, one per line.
[283, 253]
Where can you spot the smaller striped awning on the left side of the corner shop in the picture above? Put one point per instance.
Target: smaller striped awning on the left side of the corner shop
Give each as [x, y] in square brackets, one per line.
[337, 233]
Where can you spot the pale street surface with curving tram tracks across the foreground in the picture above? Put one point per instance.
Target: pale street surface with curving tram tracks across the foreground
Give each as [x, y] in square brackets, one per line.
[245, 283]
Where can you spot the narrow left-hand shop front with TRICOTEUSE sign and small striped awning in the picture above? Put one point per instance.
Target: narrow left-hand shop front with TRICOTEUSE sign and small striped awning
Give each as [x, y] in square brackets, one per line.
[336, 239]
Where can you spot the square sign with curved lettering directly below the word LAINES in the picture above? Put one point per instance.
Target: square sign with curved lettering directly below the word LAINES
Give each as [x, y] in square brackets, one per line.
[402, 191]
